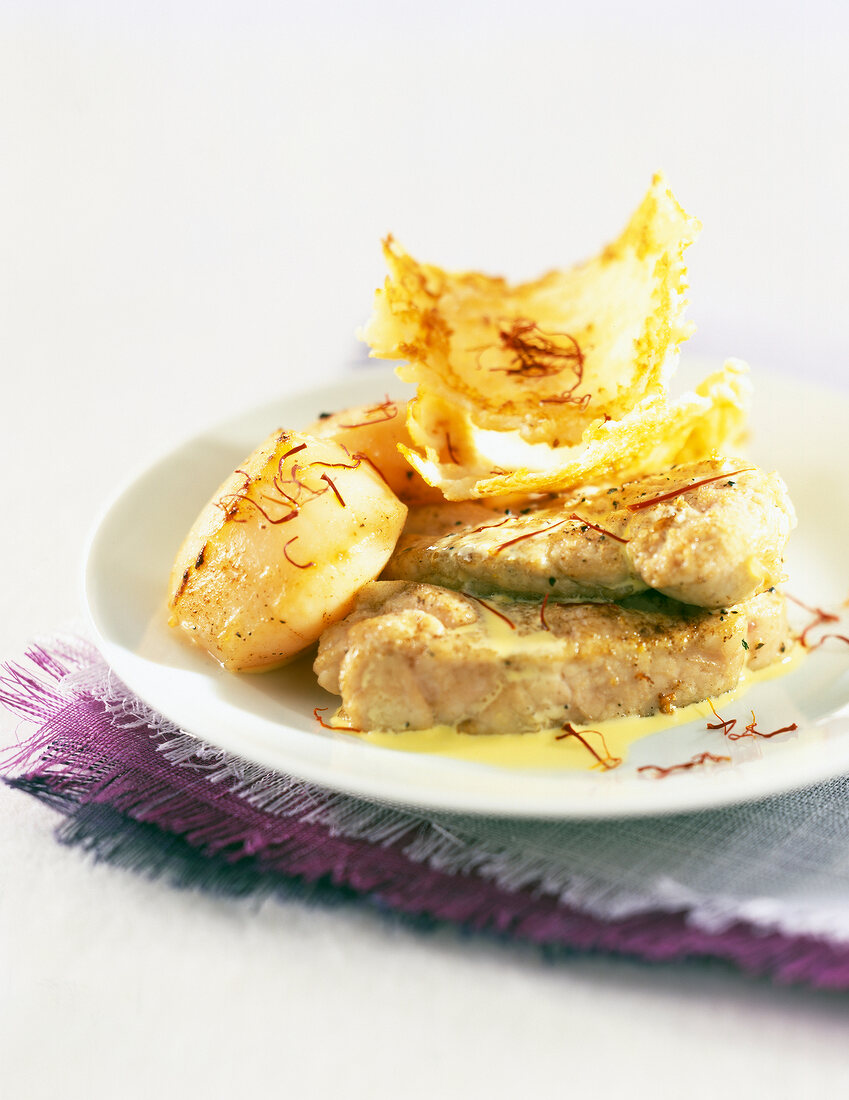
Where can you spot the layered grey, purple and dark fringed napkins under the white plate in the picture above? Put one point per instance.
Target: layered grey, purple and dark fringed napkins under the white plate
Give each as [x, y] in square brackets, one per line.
[137, 791]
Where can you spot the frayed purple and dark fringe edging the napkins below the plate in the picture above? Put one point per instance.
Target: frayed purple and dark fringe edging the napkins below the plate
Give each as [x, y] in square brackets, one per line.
[138, 793]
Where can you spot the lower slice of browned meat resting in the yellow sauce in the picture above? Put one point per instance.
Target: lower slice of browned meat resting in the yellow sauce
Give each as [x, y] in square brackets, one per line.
[415, 656]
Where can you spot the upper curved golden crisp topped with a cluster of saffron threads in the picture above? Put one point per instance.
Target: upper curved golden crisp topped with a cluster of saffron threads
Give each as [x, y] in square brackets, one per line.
[545, 359]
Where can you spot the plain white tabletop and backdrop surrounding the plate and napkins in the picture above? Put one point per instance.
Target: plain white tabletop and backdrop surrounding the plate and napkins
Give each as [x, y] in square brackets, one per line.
[191, 205]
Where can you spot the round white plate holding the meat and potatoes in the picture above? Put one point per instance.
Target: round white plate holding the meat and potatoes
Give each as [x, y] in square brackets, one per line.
[269, 719]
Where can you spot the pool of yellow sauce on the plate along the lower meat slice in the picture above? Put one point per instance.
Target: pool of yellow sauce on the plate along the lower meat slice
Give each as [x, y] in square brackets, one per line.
[543, 751]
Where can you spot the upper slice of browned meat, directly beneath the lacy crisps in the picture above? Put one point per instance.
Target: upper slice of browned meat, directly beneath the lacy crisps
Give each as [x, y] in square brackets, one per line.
[710, 534]
